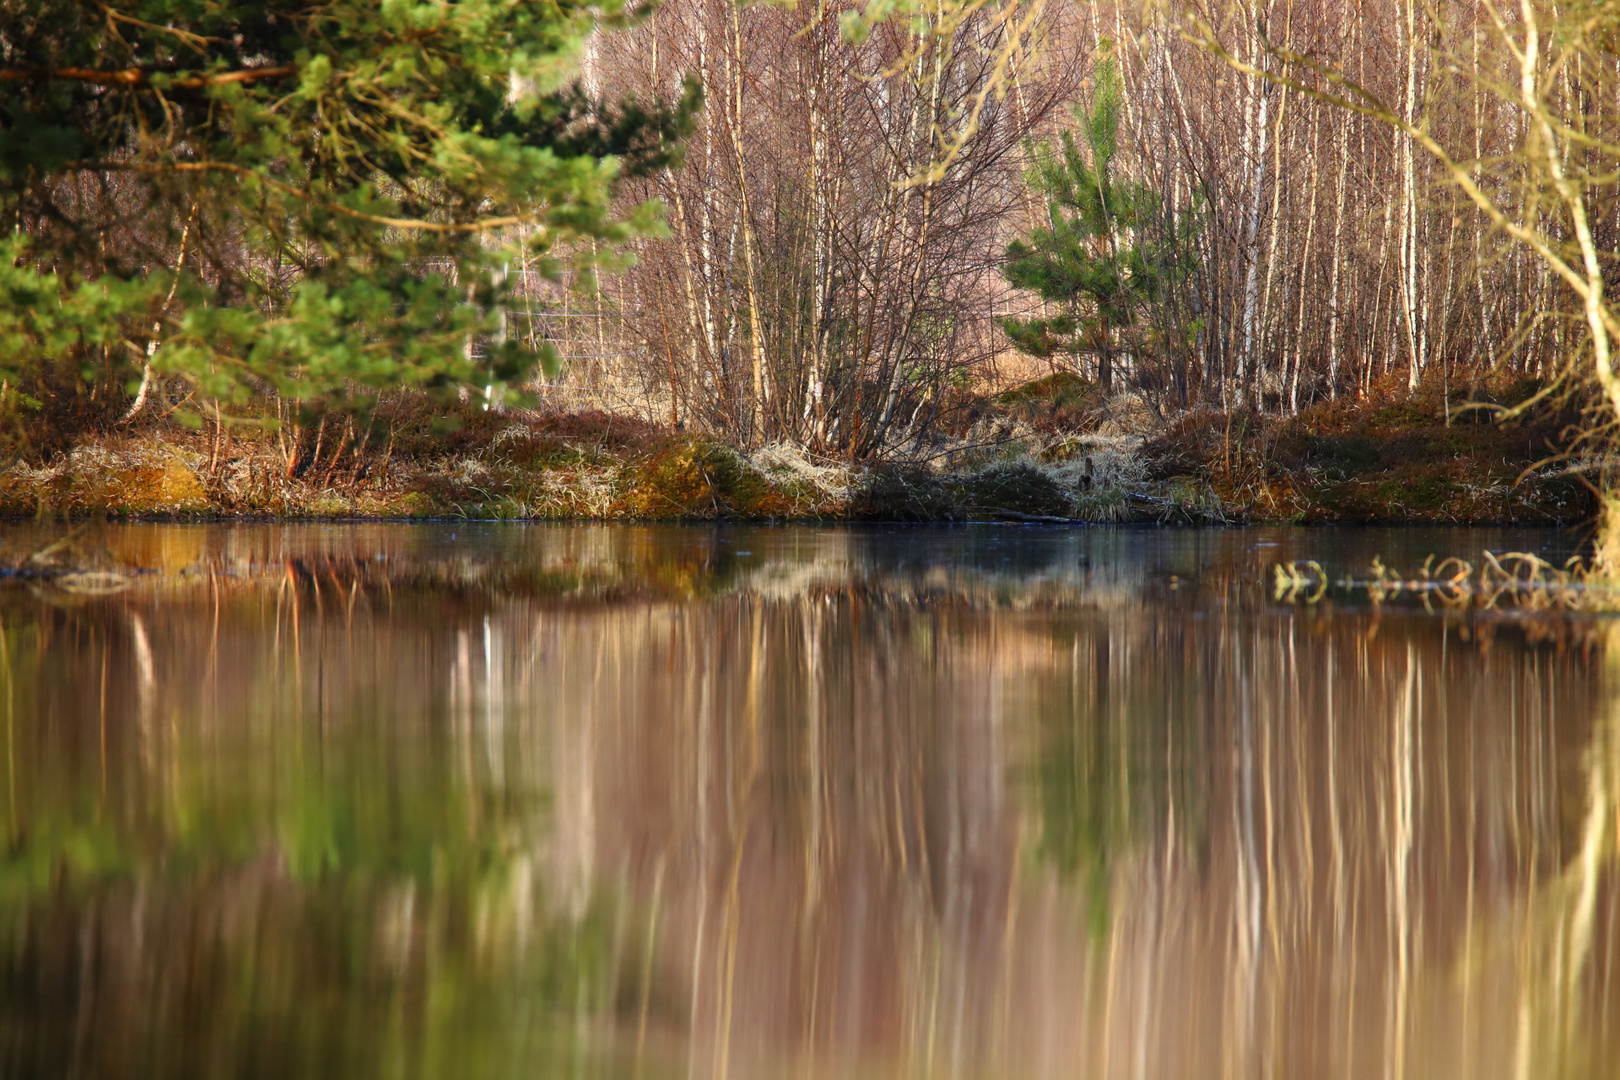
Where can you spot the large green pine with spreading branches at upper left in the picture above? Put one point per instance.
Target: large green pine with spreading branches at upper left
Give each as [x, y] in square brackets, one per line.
[301, 197]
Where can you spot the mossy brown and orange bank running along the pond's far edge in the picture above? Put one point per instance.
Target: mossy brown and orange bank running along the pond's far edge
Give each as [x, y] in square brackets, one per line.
[1052, 451]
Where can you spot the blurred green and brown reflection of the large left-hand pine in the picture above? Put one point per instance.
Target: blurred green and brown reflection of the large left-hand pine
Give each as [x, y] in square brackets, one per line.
[247, 838]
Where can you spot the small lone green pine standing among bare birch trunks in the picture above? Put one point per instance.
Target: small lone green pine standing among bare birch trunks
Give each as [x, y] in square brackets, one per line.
[1109, 249]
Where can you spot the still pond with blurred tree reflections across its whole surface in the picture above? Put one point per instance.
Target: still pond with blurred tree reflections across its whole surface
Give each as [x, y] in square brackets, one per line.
[513, 801]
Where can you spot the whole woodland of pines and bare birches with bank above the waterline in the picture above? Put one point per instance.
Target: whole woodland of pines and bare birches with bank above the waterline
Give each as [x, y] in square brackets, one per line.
[945, 260]
